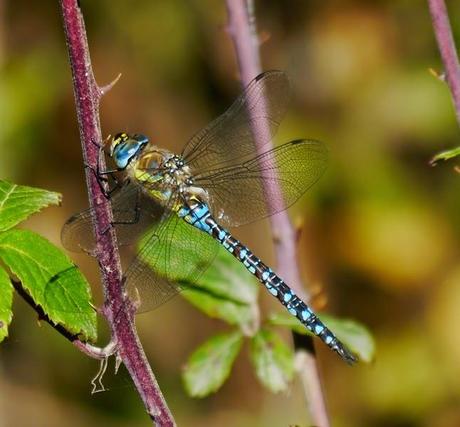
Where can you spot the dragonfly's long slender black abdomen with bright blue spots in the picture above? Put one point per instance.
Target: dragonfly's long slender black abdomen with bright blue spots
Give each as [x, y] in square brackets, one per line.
[199, 216]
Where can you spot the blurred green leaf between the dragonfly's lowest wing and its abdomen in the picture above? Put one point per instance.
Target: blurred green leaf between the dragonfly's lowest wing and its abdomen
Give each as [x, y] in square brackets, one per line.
[226, 291]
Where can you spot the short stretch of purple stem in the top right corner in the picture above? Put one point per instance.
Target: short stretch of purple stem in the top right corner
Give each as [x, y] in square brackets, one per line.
[446, 44]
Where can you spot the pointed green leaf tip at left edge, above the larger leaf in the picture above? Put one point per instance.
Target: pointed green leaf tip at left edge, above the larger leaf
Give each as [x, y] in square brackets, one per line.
[17, 202]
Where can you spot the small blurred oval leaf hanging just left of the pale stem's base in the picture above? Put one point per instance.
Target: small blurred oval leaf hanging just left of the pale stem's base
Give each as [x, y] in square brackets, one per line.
[273, 360]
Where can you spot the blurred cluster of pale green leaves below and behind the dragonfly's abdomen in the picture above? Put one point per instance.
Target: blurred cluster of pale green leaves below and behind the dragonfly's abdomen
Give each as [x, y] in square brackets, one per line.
[225, 291]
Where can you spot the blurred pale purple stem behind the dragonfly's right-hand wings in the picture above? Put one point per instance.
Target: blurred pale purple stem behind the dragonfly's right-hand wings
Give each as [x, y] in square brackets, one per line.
[242, 29]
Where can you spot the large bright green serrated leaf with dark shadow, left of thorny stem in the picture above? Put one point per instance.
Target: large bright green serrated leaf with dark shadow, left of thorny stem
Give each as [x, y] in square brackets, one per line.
[51, 279]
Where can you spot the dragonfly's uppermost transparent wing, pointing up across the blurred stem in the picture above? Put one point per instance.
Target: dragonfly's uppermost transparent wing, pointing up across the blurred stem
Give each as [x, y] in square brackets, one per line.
[229, 139]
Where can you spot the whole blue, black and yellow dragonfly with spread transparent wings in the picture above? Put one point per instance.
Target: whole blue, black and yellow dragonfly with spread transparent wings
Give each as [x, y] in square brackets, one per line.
[221, 179]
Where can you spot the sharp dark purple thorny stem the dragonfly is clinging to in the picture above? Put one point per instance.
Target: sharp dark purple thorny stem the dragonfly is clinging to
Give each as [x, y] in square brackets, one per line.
[117, 312]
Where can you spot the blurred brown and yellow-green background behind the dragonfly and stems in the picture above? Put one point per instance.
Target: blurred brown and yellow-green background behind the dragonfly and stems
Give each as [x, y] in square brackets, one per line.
[381, 231]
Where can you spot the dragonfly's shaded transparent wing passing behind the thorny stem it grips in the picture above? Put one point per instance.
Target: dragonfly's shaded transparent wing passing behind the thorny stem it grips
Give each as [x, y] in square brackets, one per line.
[134, 213]
